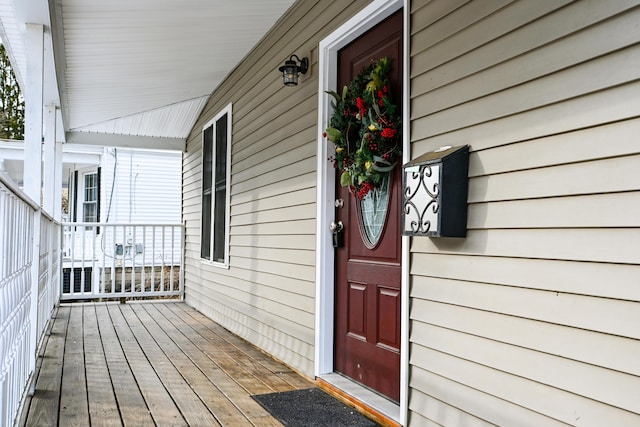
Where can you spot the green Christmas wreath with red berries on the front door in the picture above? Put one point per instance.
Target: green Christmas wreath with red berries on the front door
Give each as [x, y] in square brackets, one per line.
[365, 129]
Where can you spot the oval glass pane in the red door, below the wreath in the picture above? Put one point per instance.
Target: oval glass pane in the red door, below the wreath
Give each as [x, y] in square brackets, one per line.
[372, 213]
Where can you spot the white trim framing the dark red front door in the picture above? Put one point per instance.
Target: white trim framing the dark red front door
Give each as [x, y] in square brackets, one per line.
[366, 19]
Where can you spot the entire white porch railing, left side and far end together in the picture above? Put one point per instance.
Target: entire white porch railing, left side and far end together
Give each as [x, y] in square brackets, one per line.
[98, 261]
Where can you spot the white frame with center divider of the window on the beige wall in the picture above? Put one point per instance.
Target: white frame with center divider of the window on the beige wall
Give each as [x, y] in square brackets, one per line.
[224, 263]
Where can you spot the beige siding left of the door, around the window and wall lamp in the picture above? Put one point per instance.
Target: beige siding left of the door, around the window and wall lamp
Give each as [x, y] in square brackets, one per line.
[267, 295]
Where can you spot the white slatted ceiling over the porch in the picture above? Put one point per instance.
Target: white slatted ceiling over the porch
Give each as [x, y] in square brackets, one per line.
[138, 69]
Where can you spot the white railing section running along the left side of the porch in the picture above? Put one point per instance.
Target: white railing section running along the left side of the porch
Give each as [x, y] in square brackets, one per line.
[29, 290]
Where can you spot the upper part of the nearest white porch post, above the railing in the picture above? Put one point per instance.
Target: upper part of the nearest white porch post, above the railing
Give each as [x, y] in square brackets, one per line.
[33, 97]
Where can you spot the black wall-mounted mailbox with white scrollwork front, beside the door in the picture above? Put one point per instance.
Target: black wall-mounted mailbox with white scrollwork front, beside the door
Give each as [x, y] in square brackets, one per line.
[435, 188]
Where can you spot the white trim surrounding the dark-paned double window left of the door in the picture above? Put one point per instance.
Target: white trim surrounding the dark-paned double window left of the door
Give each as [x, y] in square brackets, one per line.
[225, 264]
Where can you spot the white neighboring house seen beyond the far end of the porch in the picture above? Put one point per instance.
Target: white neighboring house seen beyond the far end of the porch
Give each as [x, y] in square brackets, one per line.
[134, 188]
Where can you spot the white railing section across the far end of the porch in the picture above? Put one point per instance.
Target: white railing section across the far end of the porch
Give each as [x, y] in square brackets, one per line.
[103, 260]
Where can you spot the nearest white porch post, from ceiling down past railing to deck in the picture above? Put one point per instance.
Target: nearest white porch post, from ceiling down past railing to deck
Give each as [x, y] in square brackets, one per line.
[34, 100]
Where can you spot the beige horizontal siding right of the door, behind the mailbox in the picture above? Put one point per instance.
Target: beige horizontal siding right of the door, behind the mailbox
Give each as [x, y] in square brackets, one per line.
[534, 318]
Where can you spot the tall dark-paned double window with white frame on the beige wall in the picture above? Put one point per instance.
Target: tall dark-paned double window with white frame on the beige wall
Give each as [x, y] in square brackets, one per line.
[216, 161]
